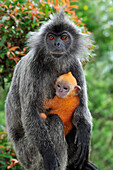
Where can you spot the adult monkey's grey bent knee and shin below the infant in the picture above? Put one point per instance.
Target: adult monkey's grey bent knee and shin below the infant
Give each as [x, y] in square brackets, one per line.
[56, 131]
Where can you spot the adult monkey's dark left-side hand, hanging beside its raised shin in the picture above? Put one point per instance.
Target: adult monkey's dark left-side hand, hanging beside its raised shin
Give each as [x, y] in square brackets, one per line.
[50, 160]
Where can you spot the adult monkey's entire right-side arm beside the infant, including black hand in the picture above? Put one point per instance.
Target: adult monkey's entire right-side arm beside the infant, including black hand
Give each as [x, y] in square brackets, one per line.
[82, 118]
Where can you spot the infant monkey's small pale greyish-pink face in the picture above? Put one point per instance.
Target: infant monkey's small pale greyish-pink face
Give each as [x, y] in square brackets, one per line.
[62, 90]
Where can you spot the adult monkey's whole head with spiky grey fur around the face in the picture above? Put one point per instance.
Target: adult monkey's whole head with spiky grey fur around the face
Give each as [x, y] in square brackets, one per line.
[58, 24]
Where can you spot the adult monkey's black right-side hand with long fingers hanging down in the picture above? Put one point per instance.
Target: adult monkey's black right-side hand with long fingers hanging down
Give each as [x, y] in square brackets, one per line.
[82, 142]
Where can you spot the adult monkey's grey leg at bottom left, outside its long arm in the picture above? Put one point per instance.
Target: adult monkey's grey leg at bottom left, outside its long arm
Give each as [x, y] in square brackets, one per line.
[28, 155]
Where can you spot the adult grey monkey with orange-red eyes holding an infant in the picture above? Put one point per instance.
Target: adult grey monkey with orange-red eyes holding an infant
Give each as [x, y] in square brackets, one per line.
[55, 50]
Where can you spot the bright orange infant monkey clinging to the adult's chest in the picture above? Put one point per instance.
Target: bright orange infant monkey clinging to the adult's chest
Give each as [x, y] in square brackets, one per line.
[66, 100]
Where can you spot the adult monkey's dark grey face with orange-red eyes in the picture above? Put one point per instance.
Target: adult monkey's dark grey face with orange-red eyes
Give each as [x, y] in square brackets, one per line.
[58, 43]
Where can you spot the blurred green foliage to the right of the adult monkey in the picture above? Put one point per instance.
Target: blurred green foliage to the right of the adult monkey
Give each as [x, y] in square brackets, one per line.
[98, 16]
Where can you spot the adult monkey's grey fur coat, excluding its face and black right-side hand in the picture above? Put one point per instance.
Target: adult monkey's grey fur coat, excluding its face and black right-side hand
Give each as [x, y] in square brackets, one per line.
[33, 80]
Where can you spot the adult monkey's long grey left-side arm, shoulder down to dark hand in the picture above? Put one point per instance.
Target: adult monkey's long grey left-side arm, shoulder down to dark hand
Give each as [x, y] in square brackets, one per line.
[35, 129]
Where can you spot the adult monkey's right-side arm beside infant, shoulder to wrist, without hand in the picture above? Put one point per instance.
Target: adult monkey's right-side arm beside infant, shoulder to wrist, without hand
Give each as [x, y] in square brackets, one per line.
[82, 110]
